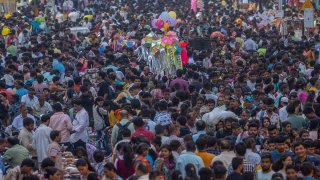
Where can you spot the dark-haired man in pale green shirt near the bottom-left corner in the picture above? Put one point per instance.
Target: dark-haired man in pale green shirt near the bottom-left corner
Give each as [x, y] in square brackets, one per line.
[16, 153]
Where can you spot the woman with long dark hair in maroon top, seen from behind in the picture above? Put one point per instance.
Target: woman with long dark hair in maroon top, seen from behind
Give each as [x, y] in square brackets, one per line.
[124, 163]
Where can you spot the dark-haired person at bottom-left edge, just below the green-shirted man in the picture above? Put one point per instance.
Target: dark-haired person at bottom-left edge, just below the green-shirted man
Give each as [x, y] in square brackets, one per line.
[21, 171]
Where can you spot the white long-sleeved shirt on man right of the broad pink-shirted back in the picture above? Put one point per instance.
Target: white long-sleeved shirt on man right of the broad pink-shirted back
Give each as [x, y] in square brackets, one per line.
[80, 125]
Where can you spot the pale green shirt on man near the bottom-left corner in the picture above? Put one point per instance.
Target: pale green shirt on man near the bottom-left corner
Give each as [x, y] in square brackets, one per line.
[15, 155]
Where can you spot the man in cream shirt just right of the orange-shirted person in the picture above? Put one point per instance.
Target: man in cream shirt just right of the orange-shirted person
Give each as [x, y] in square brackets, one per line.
[226, 155]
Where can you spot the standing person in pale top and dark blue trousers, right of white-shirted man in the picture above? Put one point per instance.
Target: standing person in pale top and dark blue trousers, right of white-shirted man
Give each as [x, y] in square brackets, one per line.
[100, 117]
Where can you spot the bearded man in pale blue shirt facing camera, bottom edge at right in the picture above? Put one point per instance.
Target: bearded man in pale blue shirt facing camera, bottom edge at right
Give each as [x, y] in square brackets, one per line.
[266, 172]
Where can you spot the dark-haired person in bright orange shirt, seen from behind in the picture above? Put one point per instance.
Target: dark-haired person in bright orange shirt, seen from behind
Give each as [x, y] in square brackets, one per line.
[207, 158]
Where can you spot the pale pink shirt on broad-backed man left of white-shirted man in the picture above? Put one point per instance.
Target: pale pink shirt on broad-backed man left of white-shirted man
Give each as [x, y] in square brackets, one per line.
[61, 122]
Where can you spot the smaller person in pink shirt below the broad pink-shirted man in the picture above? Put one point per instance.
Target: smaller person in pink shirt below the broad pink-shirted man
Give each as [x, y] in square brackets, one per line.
[54, 149]
